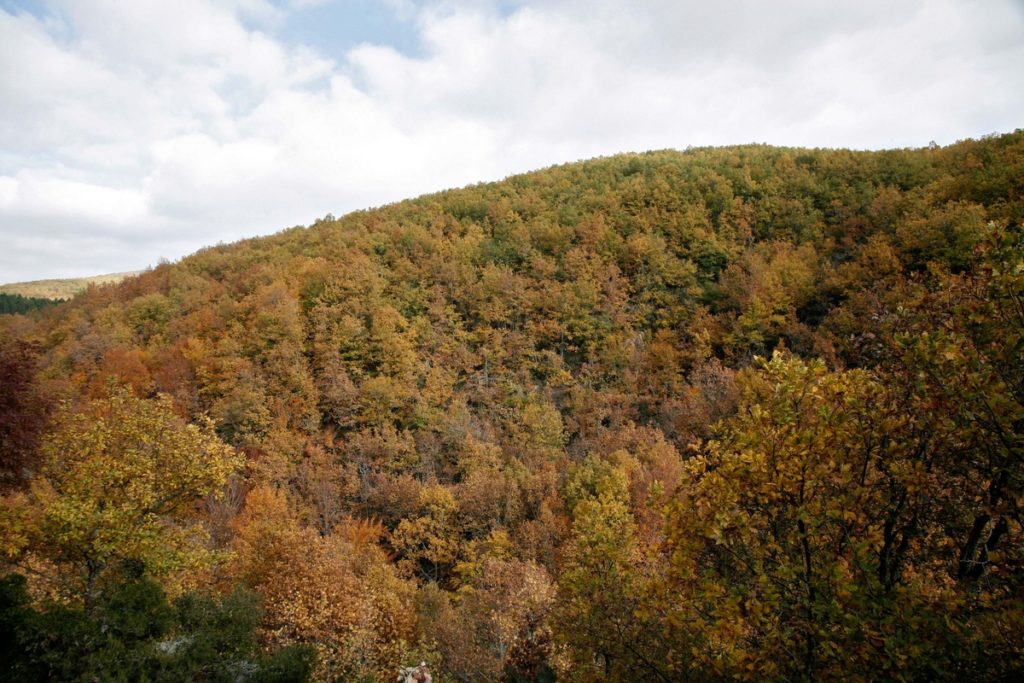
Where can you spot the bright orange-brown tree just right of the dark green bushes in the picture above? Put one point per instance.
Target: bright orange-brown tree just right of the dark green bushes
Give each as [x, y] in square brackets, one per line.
[330, 593]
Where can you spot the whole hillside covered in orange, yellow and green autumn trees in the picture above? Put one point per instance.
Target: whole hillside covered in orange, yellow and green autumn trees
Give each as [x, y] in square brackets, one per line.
[727, 413]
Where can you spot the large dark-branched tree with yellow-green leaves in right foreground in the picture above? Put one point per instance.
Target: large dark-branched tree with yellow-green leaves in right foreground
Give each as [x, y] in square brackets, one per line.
[818, 539]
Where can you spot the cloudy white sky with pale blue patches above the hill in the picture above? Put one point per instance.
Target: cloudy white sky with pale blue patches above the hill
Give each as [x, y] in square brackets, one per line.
[134, 132]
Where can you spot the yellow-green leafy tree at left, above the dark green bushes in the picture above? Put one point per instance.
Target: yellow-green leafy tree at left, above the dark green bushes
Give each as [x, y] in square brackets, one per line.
[120, 482]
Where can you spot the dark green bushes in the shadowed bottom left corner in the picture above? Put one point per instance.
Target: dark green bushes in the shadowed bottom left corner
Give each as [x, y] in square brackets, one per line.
[135, 633]
